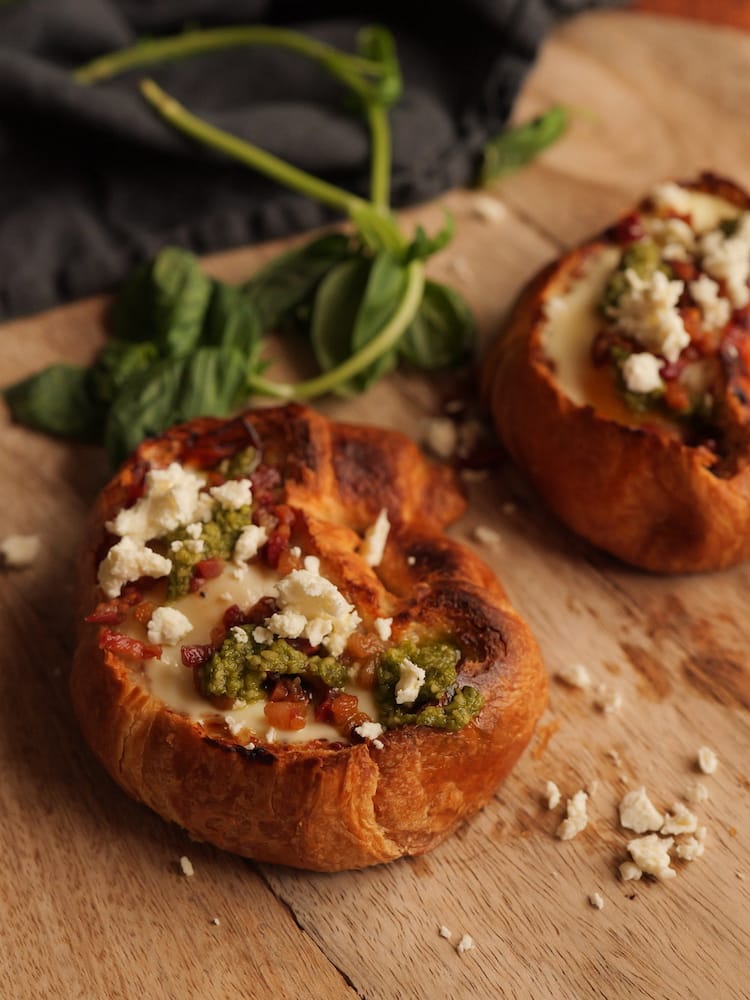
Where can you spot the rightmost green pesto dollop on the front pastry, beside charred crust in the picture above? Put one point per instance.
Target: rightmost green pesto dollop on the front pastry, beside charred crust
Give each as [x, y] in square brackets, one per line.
[440, 702]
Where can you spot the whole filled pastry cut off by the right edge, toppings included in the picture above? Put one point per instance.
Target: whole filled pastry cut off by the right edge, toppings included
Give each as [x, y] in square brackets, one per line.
[621, 384]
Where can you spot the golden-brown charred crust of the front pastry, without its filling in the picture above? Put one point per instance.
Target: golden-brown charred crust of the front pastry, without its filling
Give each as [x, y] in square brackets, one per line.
[344, 805]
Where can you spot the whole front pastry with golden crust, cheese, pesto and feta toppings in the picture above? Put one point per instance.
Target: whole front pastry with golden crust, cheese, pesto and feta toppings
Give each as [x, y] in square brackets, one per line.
[357, 513]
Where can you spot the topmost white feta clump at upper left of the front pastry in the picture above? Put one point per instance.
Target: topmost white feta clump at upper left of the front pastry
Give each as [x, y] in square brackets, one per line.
[171, 499]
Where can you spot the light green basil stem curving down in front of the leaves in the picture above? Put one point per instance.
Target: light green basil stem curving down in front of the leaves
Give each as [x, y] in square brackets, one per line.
[379, 345]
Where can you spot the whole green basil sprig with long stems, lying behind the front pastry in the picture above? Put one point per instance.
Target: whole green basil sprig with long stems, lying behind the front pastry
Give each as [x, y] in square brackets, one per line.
[186, 345]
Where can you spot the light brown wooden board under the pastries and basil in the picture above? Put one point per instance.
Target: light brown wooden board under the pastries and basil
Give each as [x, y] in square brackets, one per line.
[93, 901]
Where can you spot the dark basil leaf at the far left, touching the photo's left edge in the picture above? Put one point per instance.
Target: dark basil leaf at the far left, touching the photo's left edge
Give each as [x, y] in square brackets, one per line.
[57, 401]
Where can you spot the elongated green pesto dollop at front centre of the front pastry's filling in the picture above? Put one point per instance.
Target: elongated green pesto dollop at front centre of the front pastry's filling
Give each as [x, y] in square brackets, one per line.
[240, 667]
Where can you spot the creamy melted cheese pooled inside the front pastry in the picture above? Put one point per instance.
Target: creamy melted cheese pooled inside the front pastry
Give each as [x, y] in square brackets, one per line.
[172, 683]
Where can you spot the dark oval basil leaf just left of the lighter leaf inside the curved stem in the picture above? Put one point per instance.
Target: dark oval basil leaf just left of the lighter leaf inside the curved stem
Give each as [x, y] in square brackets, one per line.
[335, 311]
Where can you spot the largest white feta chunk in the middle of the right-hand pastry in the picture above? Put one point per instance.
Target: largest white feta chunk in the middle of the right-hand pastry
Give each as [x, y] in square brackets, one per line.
[647, 311]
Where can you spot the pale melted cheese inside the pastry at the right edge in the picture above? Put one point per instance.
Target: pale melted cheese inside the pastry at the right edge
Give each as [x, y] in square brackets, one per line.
[573, 320]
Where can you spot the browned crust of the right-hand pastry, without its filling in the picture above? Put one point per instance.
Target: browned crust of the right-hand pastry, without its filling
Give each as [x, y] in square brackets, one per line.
[635, 492]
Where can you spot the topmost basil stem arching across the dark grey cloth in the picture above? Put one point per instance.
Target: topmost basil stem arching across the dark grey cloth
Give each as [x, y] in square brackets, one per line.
[348, 68]
